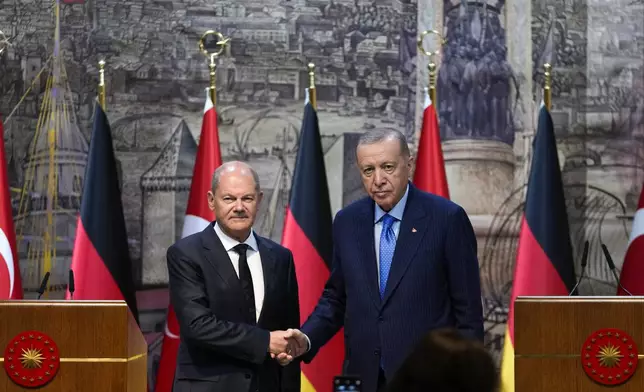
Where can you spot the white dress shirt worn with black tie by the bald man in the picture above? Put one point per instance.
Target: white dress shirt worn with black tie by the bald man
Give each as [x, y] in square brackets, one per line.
[254, 264]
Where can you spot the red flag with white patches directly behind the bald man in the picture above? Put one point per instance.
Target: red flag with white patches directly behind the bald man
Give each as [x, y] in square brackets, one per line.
[198, 216]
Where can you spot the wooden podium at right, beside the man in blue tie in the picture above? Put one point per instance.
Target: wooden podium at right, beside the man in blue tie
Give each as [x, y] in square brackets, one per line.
[553, 344]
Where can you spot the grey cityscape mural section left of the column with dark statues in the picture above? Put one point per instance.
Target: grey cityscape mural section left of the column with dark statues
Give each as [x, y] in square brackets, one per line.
[364, 53]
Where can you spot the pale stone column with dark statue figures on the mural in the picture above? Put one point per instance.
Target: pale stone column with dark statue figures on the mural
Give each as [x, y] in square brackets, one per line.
[475, 95]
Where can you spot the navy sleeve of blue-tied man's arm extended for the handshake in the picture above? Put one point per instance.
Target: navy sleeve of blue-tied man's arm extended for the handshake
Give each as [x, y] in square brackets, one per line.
[328, 317]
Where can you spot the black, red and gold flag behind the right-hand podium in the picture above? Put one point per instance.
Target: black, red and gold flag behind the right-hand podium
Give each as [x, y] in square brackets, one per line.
[544, 265]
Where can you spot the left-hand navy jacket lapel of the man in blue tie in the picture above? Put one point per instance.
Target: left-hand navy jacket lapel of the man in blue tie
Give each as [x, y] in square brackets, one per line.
[364, 230]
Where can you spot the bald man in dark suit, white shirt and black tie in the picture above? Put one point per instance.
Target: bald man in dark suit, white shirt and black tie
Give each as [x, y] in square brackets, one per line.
[230, 288]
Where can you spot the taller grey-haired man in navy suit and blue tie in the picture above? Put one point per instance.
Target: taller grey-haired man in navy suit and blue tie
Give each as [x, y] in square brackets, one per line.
[404, 263]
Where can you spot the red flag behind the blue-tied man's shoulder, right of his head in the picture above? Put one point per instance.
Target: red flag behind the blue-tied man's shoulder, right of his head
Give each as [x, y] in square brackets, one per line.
[429, 175]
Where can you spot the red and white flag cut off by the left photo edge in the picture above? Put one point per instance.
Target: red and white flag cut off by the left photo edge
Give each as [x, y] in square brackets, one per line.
[10, 282]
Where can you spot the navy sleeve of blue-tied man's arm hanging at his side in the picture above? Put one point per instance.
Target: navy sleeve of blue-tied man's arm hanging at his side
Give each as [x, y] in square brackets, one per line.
[464, 276]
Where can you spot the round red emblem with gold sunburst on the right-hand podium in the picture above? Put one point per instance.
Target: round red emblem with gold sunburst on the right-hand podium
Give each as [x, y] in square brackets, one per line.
[609, 356]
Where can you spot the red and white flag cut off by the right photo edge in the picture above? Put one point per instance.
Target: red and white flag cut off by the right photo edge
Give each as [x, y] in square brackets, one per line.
[633, 268]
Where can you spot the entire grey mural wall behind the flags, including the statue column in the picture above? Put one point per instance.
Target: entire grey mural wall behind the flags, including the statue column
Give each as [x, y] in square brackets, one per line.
[489, 89]
